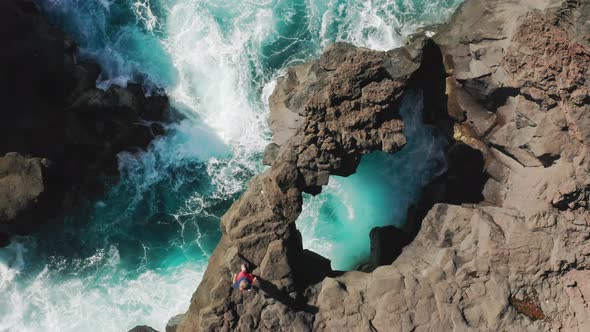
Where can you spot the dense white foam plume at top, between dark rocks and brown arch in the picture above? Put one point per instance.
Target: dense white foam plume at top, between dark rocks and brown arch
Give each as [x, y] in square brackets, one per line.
[215, 79]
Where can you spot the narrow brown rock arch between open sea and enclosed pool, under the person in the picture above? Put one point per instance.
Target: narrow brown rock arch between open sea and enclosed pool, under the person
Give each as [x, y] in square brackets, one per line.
[353, 110]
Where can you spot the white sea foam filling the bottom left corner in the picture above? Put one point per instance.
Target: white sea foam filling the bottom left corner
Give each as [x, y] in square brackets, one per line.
[49, 300]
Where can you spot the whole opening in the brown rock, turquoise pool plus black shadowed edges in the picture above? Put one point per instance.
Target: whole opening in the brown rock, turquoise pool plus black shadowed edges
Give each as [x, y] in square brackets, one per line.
[364, 220]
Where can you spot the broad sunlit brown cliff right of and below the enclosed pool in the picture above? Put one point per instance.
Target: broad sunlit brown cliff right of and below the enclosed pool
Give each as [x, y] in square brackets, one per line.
[517, 260]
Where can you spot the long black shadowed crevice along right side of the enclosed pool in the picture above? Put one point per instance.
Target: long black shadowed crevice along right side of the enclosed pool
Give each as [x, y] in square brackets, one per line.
[456, 185]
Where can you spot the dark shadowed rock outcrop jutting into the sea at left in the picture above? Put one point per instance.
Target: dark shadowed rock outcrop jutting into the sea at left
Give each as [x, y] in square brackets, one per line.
[66, 131]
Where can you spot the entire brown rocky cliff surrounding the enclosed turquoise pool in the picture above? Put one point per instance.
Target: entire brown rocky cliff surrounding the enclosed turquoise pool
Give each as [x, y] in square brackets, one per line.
[507, 250]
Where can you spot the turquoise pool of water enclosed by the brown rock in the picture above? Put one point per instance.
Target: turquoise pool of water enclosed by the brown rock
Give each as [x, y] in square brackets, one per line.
[375, 200]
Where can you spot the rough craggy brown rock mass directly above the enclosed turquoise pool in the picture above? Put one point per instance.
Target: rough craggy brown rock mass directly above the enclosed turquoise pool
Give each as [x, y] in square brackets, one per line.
[354, 93]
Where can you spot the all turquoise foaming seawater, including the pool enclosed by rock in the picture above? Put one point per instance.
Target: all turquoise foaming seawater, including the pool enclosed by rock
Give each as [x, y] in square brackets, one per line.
[136, 255]
